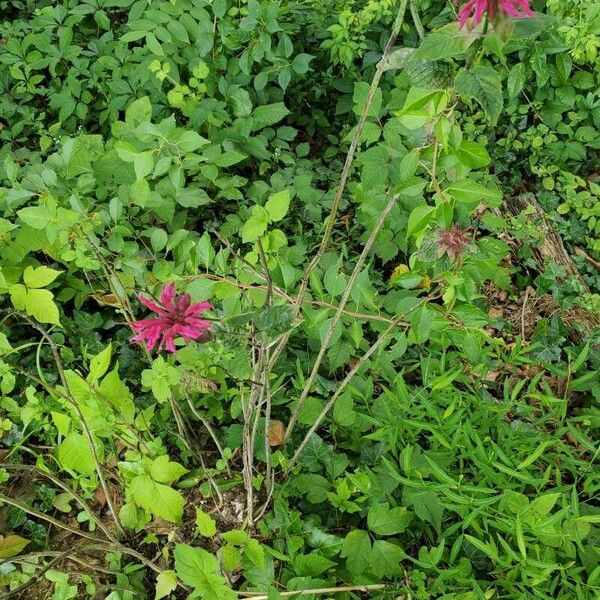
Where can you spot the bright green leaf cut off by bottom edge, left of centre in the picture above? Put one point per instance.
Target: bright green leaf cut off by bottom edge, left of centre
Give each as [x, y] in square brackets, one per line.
[200, 569]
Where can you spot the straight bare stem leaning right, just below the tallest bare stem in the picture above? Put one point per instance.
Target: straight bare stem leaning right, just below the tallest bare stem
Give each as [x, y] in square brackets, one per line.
[338, 314]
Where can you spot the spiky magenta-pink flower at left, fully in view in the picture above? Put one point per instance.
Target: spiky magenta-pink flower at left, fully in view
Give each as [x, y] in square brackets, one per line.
[176, 318]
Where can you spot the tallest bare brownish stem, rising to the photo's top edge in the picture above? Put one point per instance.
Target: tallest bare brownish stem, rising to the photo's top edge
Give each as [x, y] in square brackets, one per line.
[345, 172]
